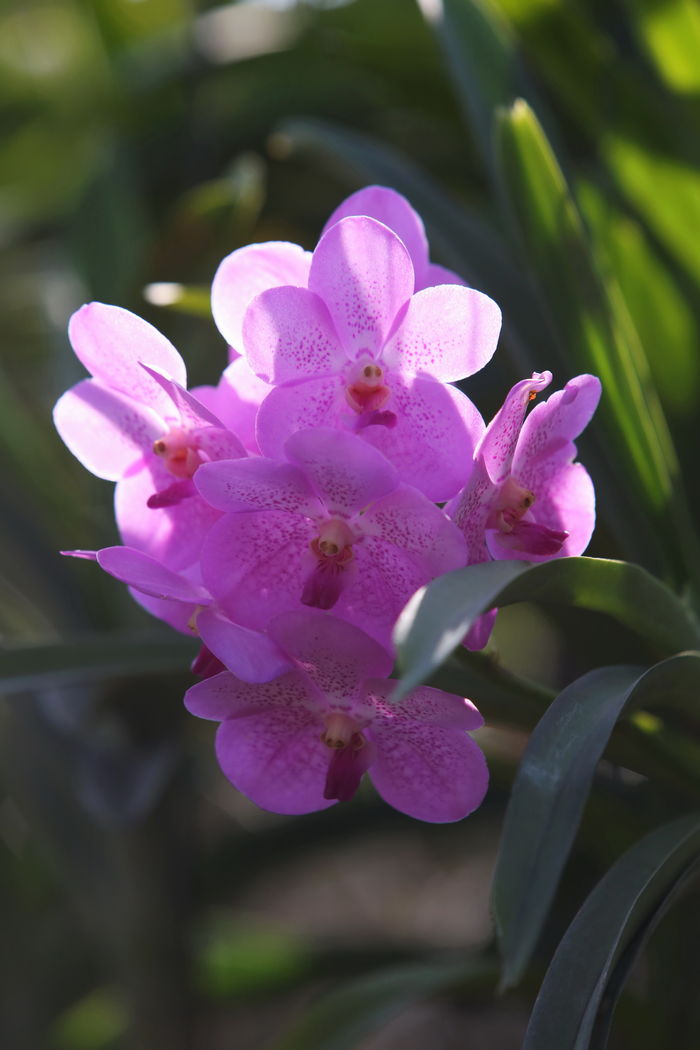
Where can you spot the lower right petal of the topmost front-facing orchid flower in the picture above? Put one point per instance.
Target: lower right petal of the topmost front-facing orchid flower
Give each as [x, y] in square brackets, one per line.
[434, 440]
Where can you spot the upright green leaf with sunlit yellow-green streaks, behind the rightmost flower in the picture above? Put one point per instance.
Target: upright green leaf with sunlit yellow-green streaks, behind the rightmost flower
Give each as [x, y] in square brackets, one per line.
[595, 330]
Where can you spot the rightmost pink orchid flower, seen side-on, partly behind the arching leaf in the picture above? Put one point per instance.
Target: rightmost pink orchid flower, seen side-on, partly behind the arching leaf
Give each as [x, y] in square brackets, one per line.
[526, 498]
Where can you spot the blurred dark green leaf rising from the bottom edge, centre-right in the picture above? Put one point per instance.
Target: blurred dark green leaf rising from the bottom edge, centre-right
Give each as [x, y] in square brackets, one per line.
[345, 1017]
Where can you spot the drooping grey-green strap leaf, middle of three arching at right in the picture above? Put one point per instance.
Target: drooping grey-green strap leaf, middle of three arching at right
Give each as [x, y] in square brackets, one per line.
[553, 786]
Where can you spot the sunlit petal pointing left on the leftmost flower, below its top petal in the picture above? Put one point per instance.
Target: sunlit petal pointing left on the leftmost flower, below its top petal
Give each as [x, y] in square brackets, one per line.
[104, 430]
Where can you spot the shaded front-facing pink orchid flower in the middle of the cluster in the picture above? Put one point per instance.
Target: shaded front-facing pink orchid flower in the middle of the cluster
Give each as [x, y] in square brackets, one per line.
[331, 528]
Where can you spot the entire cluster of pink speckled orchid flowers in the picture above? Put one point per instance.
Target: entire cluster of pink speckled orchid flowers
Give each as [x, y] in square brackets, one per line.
[286, 516]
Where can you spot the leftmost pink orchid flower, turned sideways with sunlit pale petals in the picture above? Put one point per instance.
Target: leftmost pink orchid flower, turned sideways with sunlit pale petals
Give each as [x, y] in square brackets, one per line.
[135, 423]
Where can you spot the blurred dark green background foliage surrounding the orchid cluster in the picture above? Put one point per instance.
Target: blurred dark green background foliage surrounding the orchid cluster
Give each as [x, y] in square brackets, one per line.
[143, 904]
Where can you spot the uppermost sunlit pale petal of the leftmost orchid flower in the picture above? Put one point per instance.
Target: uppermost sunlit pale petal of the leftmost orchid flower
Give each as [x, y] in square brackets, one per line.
[112, 343]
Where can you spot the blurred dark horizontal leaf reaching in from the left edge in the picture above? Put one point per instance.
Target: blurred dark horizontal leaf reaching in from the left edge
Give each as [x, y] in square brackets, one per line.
[91, 660]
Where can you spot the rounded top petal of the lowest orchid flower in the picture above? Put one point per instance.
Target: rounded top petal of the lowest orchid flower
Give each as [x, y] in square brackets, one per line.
[337, 657]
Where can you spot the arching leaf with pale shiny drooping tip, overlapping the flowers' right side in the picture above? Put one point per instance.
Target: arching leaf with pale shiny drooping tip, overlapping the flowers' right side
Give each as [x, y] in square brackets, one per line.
[438, 617]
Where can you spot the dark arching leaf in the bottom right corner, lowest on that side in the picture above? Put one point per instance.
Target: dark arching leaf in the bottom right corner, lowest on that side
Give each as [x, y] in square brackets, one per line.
[582, 985]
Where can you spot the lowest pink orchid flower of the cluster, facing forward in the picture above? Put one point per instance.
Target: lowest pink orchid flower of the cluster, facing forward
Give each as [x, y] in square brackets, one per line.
[304, 741]
